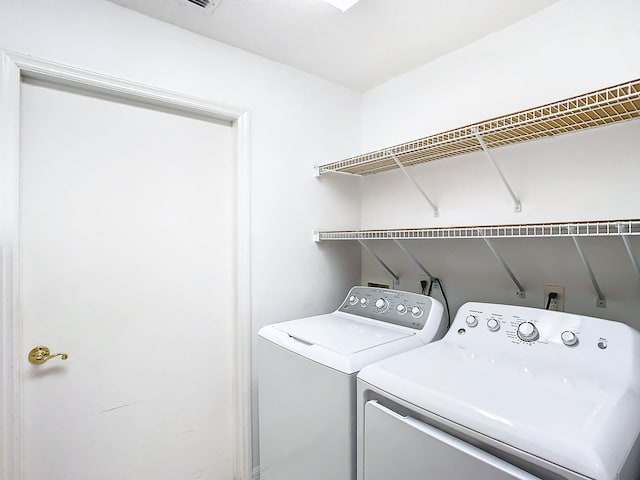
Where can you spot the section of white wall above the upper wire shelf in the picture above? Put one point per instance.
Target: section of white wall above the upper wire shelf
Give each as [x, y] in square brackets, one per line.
[569, 48]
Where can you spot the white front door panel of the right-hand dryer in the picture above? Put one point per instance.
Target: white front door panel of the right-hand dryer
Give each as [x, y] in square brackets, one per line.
[403, 447]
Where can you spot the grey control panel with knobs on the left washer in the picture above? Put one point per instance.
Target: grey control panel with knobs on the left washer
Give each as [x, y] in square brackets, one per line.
[392, 306]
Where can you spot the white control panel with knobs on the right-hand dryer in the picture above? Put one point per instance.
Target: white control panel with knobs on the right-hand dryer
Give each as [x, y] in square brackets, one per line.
[525, 335]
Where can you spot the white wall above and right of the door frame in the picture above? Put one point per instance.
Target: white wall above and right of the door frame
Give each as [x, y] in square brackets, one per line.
[297, 121]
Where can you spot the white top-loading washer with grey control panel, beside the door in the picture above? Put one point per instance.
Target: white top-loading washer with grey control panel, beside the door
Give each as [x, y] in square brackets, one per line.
[307, 378]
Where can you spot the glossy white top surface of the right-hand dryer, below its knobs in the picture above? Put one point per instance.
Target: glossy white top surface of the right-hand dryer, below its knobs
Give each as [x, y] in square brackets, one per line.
[584, 423]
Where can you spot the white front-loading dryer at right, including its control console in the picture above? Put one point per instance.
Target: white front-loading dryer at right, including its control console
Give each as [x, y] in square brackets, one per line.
[509, 393]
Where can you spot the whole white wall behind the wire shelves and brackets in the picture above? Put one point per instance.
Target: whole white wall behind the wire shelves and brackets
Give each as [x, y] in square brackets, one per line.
[572, 47]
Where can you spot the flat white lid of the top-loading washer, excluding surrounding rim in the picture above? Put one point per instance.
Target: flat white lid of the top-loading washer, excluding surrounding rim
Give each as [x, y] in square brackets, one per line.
[341, 333]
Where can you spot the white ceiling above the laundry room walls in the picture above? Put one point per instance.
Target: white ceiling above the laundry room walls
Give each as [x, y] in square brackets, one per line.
[369, 44]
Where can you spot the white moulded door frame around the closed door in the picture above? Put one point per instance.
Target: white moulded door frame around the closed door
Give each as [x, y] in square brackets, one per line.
[13, 68]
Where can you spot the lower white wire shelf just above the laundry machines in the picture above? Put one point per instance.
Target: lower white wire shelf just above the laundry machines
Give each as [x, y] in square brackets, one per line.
[574, 229]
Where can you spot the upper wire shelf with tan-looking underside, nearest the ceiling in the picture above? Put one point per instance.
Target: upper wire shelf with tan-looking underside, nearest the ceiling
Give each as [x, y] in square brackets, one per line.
[602, 107]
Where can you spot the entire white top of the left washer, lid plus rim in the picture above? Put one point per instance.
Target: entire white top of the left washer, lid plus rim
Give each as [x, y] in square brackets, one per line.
[341, 341]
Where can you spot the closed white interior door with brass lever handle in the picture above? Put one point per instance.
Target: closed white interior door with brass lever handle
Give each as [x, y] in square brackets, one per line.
[126, 221]
